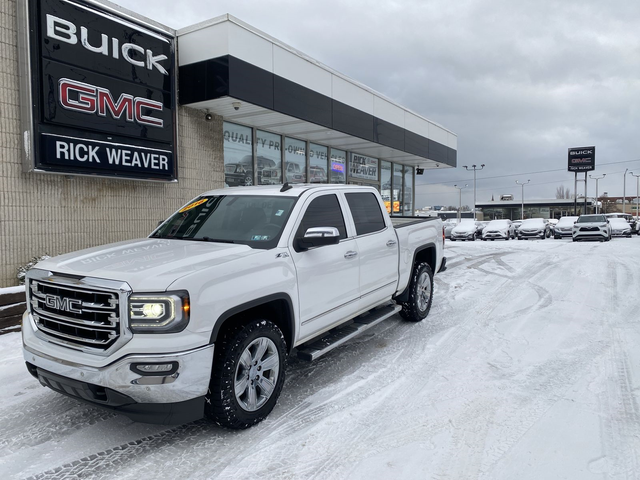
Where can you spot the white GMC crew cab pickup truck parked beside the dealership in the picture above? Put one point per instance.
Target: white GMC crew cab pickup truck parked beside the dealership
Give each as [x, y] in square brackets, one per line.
[198, 319]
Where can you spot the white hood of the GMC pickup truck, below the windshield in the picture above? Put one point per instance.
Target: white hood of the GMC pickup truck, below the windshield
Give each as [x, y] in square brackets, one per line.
[147, 264]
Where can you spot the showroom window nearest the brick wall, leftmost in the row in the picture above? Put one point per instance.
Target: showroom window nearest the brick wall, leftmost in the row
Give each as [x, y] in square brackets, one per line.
[238, 155]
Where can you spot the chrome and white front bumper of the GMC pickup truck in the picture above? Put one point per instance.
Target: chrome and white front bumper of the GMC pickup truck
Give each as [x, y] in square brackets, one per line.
[175, 397]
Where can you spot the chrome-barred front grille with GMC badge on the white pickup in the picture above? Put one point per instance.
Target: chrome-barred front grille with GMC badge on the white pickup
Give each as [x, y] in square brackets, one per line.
[73, 315]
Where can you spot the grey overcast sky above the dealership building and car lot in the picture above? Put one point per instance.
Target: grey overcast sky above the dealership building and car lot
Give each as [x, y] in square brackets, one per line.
[519, 82]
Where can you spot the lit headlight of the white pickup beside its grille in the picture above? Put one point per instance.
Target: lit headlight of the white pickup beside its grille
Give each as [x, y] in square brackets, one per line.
[159, 313]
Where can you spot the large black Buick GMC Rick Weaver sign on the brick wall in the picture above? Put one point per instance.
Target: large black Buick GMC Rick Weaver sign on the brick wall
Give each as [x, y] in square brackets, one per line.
[102, 92]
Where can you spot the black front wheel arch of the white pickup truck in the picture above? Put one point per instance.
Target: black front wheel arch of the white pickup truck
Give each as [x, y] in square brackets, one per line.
[278, 308]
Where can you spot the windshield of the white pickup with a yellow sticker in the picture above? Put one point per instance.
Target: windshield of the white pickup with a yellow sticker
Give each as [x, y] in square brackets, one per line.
[252, 220]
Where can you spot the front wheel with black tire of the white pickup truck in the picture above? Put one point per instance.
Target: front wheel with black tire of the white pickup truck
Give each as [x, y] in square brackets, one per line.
[265, 344]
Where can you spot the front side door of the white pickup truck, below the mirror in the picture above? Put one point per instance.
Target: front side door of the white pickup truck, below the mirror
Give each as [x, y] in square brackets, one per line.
[328, 276]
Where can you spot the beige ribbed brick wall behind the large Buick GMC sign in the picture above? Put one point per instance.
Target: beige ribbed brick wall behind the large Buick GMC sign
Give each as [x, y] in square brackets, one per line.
[52, 214]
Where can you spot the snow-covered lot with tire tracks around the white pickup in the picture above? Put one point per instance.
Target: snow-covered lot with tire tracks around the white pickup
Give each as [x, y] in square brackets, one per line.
[528, 367]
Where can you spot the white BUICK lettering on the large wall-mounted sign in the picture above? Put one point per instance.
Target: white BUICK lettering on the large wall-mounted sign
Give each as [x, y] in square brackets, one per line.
[66, 31]
